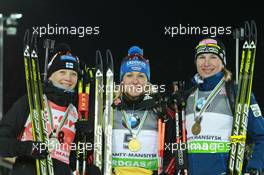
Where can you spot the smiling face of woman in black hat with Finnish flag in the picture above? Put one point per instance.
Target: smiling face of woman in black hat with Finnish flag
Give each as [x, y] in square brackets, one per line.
[64, 78]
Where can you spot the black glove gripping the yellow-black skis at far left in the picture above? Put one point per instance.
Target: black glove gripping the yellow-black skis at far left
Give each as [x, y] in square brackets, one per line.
[38, 150]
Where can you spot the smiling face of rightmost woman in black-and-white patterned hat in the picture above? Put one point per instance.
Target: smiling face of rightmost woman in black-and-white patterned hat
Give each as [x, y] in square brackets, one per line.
[208, 64]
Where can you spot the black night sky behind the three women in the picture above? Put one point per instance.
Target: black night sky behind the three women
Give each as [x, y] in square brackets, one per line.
[126, 23]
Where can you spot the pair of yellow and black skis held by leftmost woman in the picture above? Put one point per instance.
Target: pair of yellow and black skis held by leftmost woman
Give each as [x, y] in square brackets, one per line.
[36, 101]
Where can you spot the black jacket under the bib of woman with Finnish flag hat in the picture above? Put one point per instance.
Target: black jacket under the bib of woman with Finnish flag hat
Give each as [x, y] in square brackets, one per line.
[11, 130]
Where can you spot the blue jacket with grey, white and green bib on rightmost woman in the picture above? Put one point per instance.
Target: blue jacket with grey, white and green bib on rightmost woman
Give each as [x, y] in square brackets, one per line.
[208, 152]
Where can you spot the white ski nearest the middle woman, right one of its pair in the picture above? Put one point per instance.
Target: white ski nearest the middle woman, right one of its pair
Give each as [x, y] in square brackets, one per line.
[108, 114]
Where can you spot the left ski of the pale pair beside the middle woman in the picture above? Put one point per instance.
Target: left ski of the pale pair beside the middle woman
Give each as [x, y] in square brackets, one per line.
[98, 118]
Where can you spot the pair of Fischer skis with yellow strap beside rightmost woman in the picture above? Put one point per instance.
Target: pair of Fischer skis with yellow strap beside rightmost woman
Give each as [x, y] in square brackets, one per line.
[239, 131]
